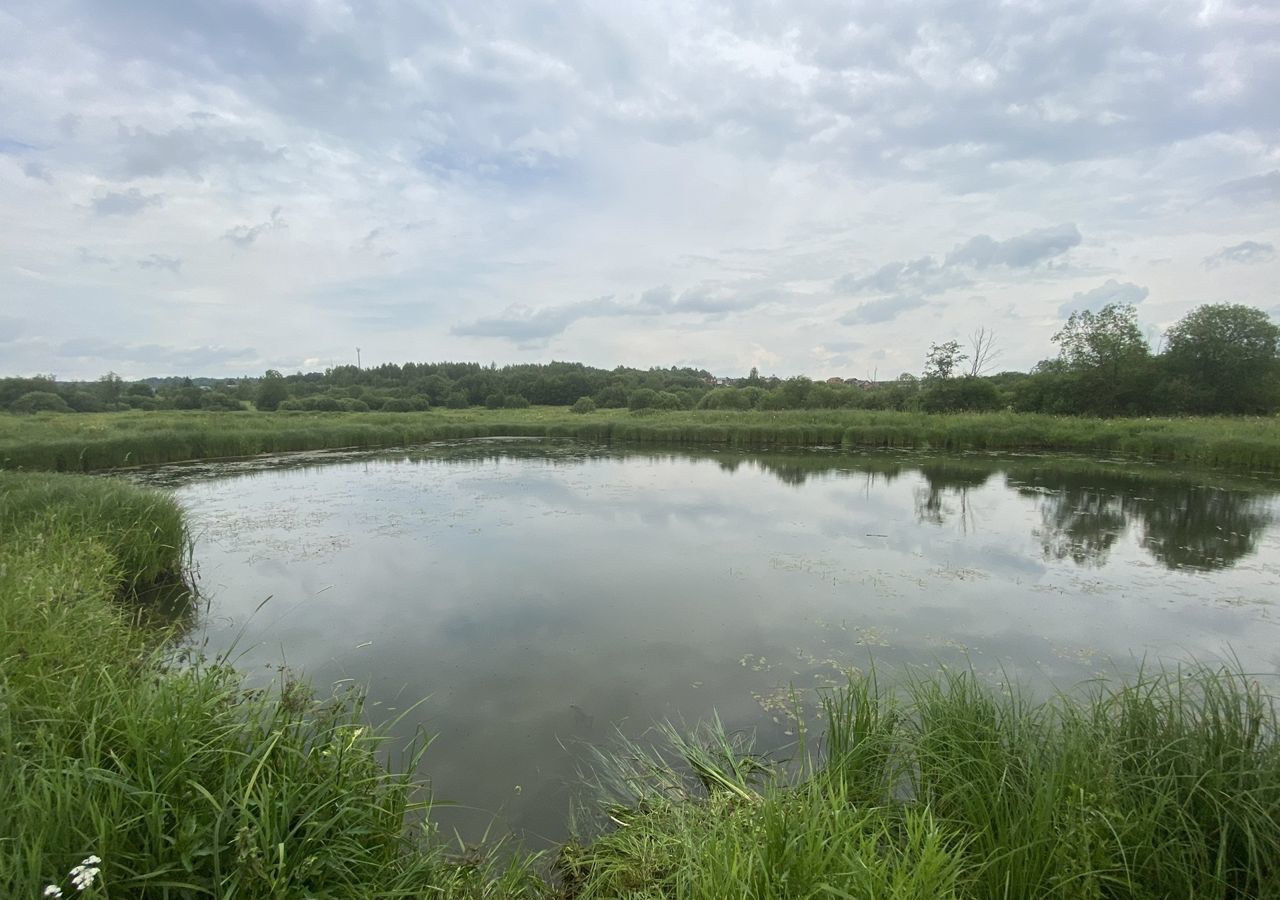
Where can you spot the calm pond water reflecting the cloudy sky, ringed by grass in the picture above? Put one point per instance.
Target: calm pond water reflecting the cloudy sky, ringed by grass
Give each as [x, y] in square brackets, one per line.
[540, 596]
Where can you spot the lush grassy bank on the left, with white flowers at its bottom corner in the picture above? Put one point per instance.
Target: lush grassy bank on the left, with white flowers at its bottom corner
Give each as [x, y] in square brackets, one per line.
[184, 783]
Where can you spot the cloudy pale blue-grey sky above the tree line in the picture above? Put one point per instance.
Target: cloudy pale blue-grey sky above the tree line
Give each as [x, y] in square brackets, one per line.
[220, 188]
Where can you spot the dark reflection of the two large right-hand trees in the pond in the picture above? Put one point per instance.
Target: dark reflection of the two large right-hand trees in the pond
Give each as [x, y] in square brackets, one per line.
[1182, 526]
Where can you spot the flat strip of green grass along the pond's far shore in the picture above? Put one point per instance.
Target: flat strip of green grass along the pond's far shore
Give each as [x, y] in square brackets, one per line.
[117, 440]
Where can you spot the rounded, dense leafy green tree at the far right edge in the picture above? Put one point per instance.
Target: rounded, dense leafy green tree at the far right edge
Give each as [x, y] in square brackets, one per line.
[1223, 358]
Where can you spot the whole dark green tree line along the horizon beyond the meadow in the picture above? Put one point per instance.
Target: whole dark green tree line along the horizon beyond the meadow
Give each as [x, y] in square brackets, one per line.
[1220, 359]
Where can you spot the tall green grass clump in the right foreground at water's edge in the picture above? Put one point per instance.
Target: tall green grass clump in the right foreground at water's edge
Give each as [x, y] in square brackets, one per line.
[1167, 787]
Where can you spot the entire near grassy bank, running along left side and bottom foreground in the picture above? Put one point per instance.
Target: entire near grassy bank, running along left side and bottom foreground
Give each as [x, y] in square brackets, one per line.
[188, 785]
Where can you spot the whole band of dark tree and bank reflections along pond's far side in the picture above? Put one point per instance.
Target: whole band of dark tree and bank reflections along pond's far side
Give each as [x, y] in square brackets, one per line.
[1085, 506]
